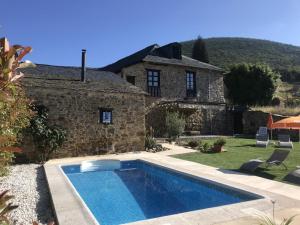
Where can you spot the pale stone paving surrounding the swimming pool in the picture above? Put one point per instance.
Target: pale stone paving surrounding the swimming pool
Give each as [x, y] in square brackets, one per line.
[71, 210]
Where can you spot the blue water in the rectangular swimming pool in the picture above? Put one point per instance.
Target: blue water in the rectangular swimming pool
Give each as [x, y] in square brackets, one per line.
[128, 191]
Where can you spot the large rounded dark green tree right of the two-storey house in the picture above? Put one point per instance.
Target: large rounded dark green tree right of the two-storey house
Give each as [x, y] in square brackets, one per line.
[251, 84]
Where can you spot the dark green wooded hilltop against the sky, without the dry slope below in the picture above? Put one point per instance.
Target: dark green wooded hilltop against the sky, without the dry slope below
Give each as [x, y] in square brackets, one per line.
[225, 51]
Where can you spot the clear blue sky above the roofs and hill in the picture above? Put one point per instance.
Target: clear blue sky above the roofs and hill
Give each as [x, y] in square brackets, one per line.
[110, 29]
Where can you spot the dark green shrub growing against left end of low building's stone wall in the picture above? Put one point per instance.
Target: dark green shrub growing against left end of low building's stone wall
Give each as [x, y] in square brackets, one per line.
[47, 139]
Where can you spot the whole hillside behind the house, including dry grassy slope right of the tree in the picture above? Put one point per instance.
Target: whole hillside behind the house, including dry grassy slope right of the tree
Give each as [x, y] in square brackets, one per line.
[282, 57]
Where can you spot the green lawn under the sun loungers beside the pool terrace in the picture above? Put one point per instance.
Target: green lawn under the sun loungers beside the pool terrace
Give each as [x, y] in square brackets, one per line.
[240, 150]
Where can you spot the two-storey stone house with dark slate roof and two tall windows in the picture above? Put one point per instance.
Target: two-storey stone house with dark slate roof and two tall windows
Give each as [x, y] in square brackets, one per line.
[176, 82]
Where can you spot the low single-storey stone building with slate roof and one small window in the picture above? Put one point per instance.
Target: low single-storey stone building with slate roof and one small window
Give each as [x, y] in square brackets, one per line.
[99, 111]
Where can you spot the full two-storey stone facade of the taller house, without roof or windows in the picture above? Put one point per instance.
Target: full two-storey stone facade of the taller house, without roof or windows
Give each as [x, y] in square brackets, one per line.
[205, 114]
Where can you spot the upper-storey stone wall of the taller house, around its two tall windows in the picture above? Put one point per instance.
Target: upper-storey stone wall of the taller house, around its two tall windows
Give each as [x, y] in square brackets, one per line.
[209, 84]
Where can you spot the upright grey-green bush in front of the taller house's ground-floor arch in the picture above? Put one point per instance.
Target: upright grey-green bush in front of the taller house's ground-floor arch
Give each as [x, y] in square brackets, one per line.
[174, 124]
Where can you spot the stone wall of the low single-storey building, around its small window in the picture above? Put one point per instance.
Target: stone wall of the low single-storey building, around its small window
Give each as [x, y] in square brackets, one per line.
[73, 105]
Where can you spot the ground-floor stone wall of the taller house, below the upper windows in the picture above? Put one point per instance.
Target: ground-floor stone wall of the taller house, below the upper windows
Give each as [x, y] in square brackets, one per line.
[200, 119]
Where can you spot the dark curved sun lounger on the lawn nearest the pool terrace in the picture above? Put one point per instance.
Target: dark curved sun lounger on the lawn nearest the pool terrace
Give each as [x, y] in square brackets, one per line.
[276, 159]
